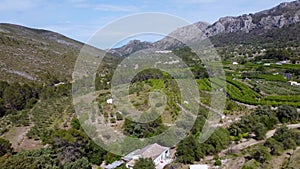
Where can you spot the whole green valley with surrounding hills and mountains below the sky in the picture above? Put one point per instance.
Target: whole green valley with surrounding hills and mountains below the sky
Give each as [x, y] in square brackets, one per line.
[45, 124]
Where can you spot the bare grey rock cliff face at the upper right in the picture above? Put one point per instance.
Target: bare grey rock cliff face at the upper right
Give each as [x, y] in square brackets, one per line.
[277, 17]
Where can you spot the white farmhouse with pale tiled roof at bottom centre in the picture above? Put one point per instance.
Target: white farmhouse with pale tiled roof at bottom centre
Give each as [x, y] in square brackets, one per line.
[154, 151]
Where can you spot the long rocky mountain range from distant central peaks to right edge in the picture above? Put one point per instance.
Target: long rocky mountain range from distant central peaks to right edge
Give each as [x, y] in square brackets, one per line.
[241, 29]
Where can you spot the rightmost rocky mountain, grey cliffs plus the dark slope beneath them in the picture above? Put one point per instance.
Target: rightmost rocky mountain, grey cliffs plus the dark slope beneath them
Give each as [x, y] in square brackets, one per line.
[267, 26]
